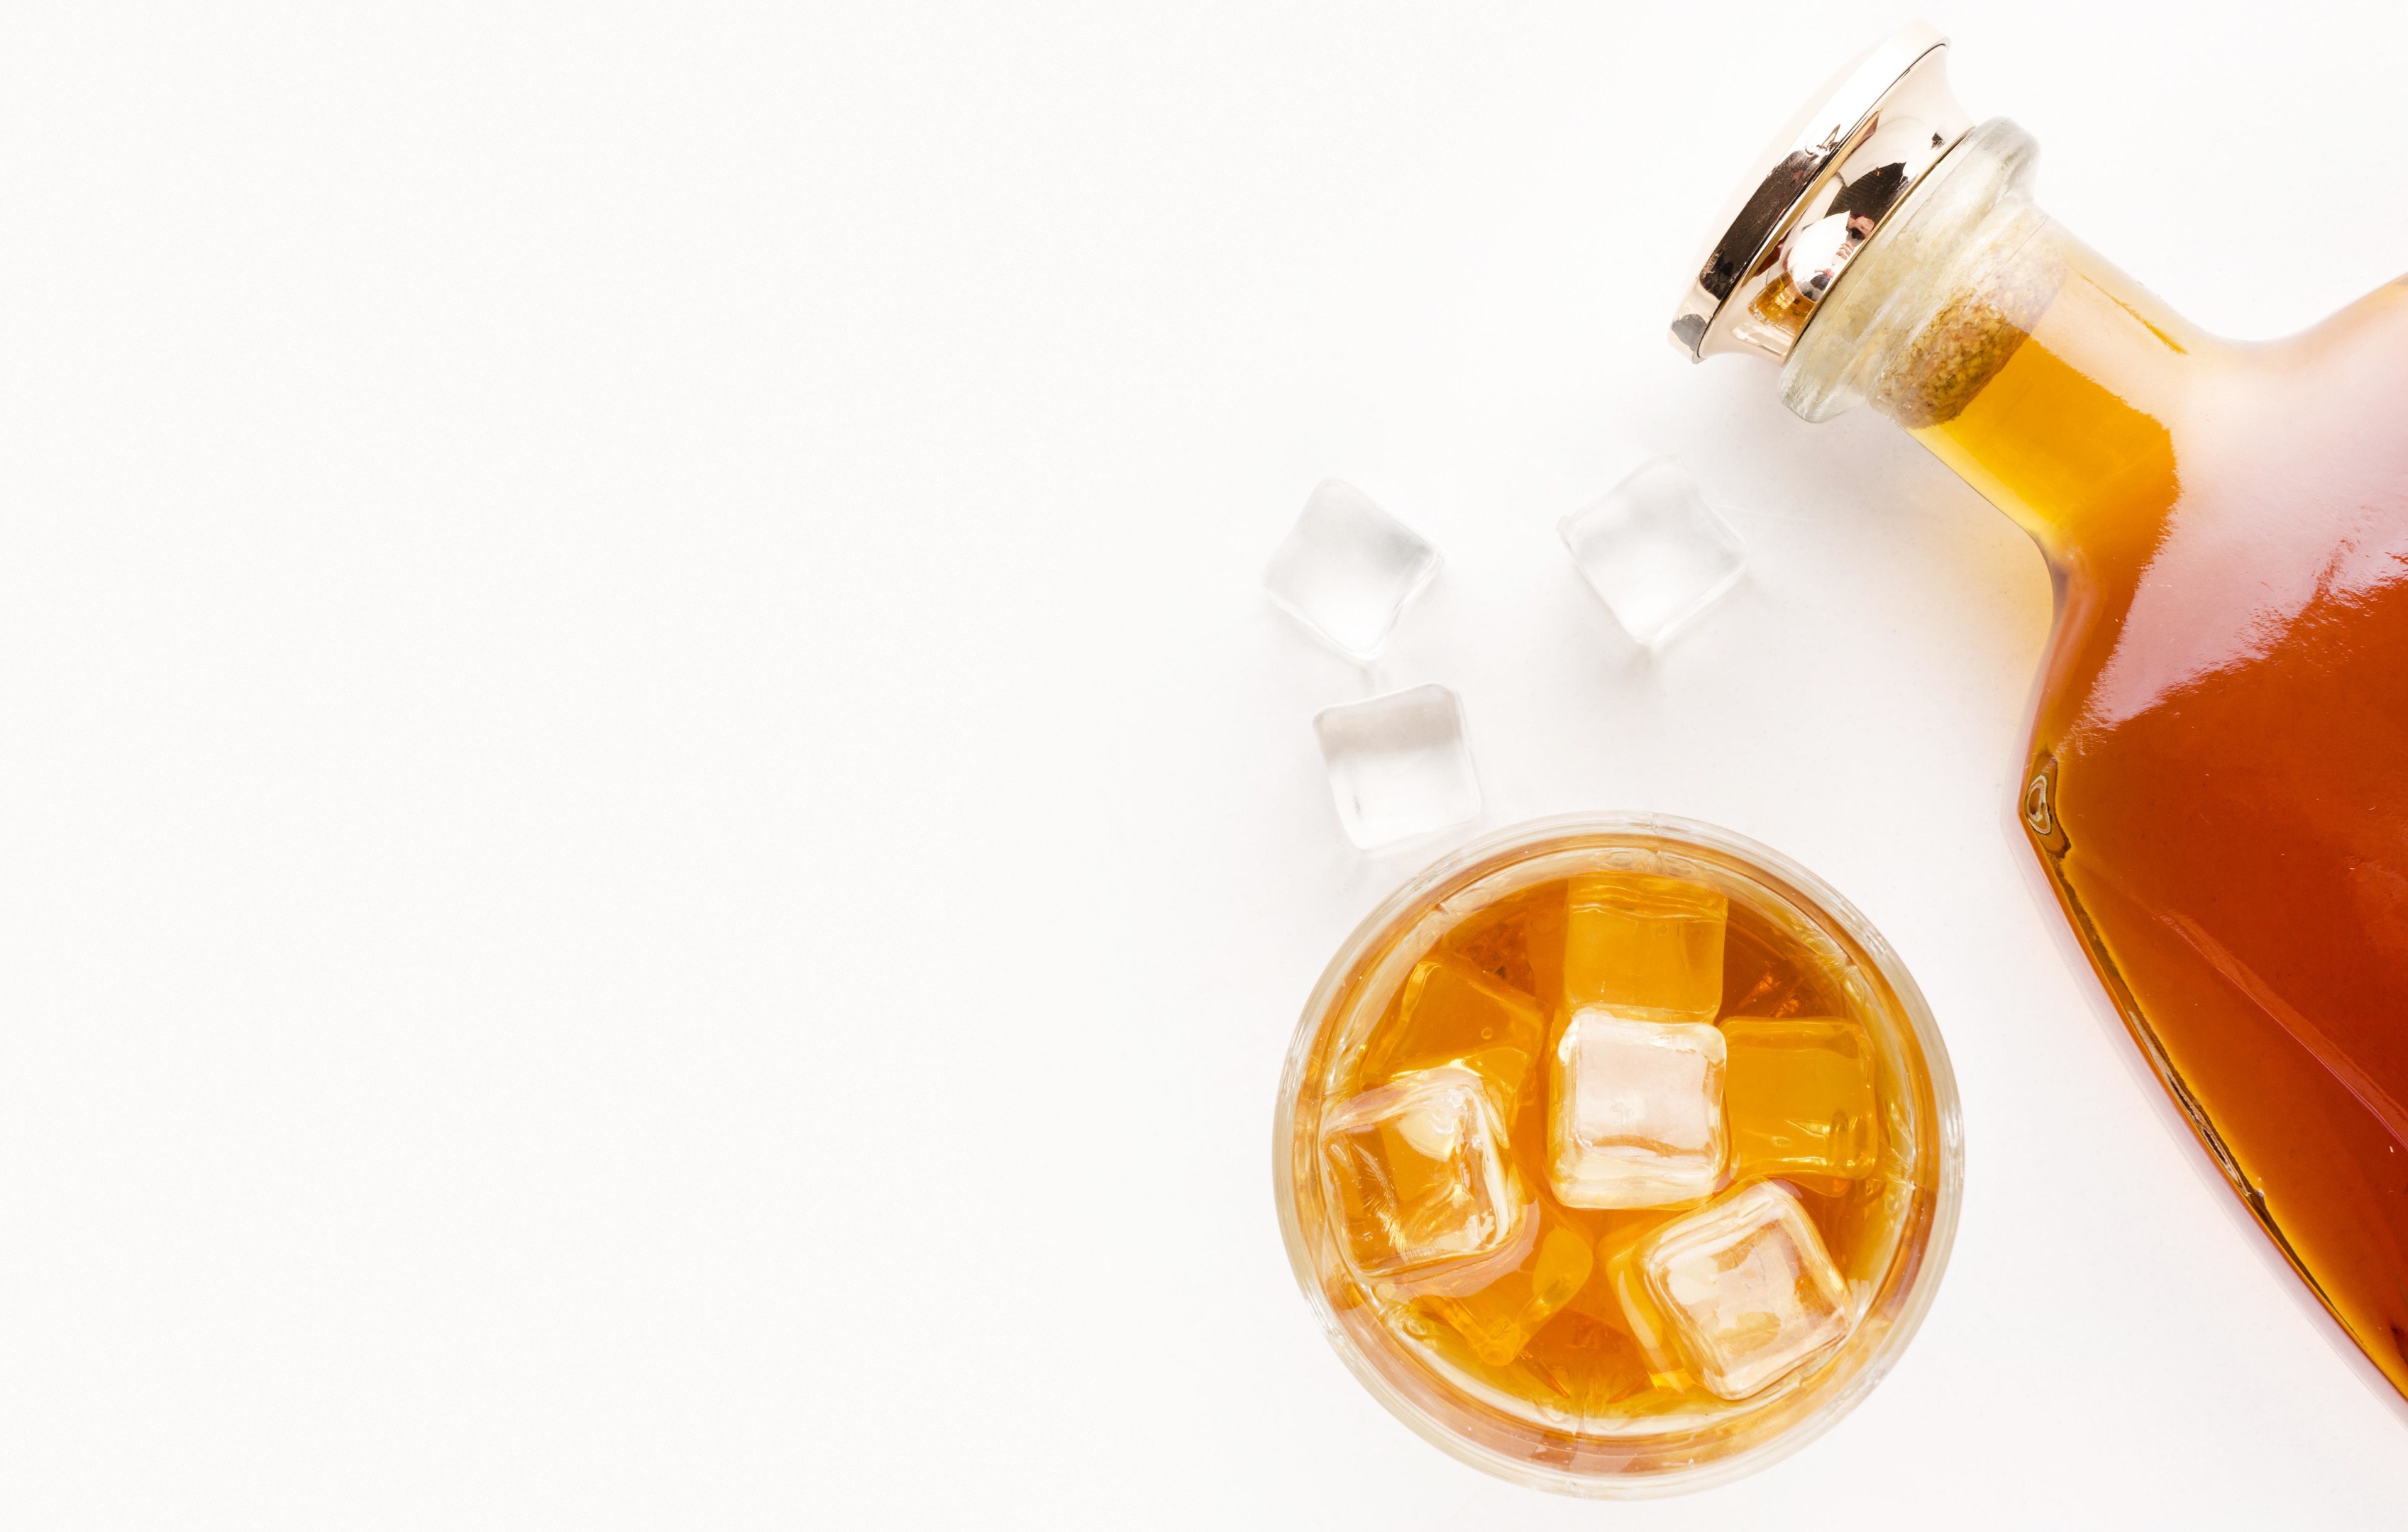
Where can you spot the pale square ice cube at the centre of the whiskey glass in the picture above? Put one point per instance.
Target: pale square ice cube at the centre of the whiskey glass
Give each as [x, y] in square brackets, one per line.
[1634, 1112]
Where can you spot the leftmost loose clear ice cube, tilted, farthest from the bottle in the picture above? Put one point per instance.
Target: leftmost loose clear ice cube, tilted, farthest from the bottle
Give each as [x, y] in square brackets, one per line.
[1347, 570]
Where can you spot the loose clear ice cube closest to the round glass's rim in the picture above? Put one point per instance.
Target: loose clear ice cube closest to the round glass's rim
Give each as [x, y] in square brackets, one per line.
[1400, 765]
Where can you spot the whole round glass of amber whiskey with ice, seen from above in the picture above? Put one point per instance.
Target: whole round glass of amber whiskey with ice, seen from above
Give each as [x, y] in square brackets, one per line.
[1617, 1155]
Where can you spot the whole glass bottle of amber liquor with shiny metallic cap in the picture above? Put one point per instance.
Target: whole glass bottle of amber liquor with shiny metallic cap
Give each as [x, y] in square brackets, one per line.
[2217, 779]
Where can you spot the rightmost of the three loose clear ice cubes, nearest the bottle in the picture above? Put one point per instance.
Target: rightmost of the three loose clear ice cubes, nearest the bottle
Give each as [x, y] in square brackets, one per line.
[1653, 550]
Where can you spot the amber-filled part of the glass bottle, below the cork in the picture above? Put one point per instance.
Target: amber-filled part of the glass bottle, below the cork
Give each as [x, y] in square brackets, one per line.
[2219, 774]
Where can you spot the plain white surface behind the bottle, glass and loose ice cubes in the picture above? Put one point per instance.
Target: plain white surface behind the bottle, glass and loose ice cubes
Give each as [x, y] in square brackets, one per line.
[656, 849]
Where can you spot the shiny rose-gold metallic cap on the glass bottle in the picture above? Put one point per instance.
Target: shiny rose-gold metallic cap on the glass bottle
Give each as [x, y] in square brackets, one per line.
[1817, 194]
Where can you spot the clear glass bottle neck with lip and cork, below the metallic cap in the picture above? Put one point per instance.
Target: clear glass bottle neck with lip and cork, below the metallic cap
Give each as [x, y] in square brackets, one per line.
[2024, 360]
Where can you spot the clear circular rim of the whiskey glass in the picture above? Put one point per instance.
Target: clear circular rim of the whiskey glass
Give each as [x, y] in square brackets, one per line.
[1935, 1206]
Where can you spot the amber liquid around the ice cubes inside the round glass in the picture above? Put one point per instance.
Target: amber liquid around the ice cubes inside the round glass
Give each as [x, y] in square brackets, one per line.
[1552, 1333]
